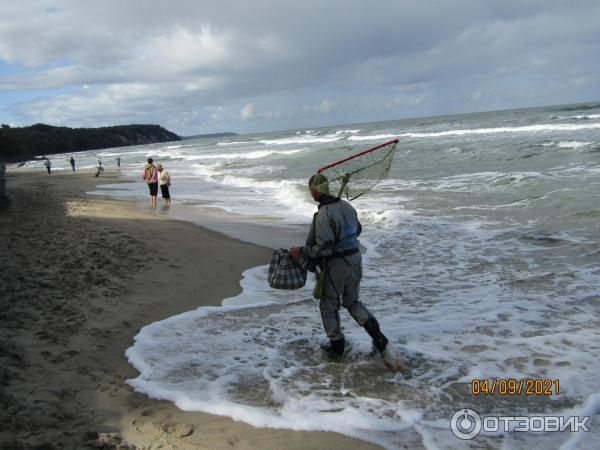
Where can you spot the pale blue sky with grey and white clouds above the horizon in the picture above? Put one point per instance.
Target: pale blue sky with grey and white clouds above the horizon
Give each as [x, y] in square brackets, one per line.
[260, 65]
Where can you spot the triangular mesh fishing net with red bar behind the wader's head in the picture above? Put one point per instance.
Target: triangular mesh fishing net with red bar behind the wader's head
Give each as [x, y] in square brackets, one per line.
[356, 175]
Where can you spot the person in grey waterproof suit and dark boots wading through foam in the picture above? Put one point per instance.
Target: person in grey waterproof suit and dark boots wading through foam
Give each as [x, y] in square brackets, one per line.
[333, 243]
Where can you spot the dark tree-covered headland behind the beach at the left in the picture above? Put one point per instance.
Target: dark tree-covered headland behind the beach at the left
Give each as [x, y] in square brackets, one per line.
[24, 143]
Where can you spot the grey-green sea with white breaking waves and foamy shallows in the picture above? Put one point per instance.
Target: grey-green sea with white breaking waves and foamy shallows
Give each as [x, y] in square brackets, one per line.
[481, 262]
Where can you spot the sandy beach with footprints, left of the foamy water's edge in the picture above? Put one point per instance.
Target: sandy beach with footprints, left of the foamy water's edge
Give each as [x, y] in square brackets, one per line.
[80, 276]
